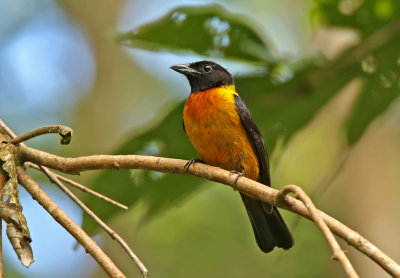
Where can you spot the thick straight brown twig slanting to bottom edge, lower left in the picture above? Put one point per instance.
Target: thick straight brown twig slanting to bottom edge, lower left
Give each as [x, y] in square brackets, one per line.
[61, 217]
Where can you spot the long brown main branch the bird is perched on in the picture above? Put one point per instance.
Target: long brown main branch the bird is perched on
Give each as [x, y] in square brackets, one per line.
[244, 185]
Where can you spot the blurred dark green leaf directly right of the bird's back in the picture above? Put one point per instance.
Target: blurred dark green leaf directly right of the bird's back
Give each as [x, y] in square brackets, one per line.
[282, 109]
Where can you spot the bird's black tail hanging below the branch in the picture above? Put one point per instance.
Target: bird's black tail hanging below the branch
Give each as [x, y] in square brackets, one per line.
[269, 228]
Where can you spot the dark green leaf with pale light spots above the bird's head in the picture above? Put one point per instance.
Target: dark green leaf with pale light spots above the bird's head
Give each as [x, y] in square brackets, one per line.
[207, 30]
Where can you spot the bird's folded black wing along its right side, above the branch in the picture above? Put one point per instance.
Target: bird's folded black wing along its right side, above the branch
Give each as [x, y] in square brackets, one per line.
[254, 135]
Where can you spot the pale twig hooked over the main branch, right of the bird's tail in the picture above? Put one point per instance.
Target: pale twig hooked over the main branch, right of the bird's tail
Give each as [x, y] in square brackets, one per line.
[338, 253]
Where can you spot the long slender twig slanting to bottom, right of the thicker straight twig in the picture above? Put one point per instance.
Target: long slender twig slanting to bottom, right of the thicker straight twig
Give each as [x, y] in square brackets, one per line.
[103, 225]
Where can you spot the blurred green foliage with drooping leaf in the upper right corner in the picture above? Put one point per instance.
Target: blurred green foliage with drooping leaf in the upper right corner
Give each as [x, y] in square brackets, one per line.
[378, 22]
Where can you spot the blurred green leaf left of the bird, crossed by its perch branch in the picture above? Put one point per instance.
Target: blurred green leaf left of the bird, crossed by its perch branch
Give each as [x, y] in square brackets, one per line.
[157, 191]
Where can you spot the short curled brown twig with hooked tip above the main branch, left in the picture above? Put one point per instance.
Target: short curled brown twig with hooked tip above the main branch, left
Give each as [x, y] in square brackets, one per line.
[64, 132]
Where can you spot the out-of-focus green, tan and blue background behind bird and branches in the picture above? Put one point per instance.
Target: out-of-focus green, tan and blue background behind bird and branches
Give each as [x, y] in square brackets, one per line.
[320, 77]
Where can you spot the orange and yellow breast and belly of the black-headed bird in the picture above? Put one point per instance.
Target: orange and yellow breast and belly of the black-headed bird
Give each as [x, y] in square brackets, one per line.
[215, 130]
